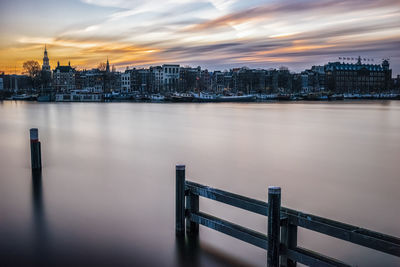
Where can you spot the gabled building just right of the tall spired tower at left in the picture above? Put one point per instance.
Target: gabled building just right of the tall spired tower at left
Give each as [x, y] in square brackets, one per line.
[64, 78]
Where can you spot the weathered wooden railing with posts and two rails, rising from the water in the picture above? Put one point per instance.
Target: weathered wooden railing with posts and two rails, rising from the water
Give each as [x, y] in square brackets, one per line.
[281, 242]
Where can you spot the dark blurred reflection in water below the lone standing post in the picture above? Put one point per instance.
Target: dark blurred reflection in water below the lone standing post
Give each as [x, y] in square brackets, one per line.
[40, 235]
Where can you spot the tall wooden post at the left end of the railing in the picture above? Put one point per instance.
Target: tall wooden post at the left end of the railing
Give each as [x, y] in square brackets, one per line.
[180, 200]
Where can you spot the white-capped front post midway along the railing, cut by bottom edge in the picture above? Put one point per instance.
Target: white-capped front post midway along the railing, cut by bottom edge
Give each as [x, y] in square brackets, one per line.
[274, 210]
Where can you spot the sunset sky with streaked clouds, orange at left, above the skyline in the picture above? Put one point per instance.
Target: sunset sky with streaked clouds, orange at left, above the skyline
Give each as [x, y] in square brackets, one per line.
[213, 34]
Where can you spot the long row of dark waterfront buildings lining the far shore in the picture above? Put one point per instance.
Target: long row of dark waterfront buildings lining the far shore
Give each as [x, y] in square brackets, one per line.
[334, 77]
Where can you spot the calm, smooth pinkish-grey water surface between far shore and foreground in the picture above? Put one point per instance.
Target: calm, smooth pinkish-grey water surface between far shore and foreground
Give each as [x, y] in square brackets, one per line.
[107, 197]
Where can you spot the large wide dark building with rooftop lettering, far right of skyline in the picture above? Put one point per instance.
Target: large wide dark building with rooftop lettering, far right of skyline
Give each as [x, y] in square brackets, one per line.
[358, 77]
